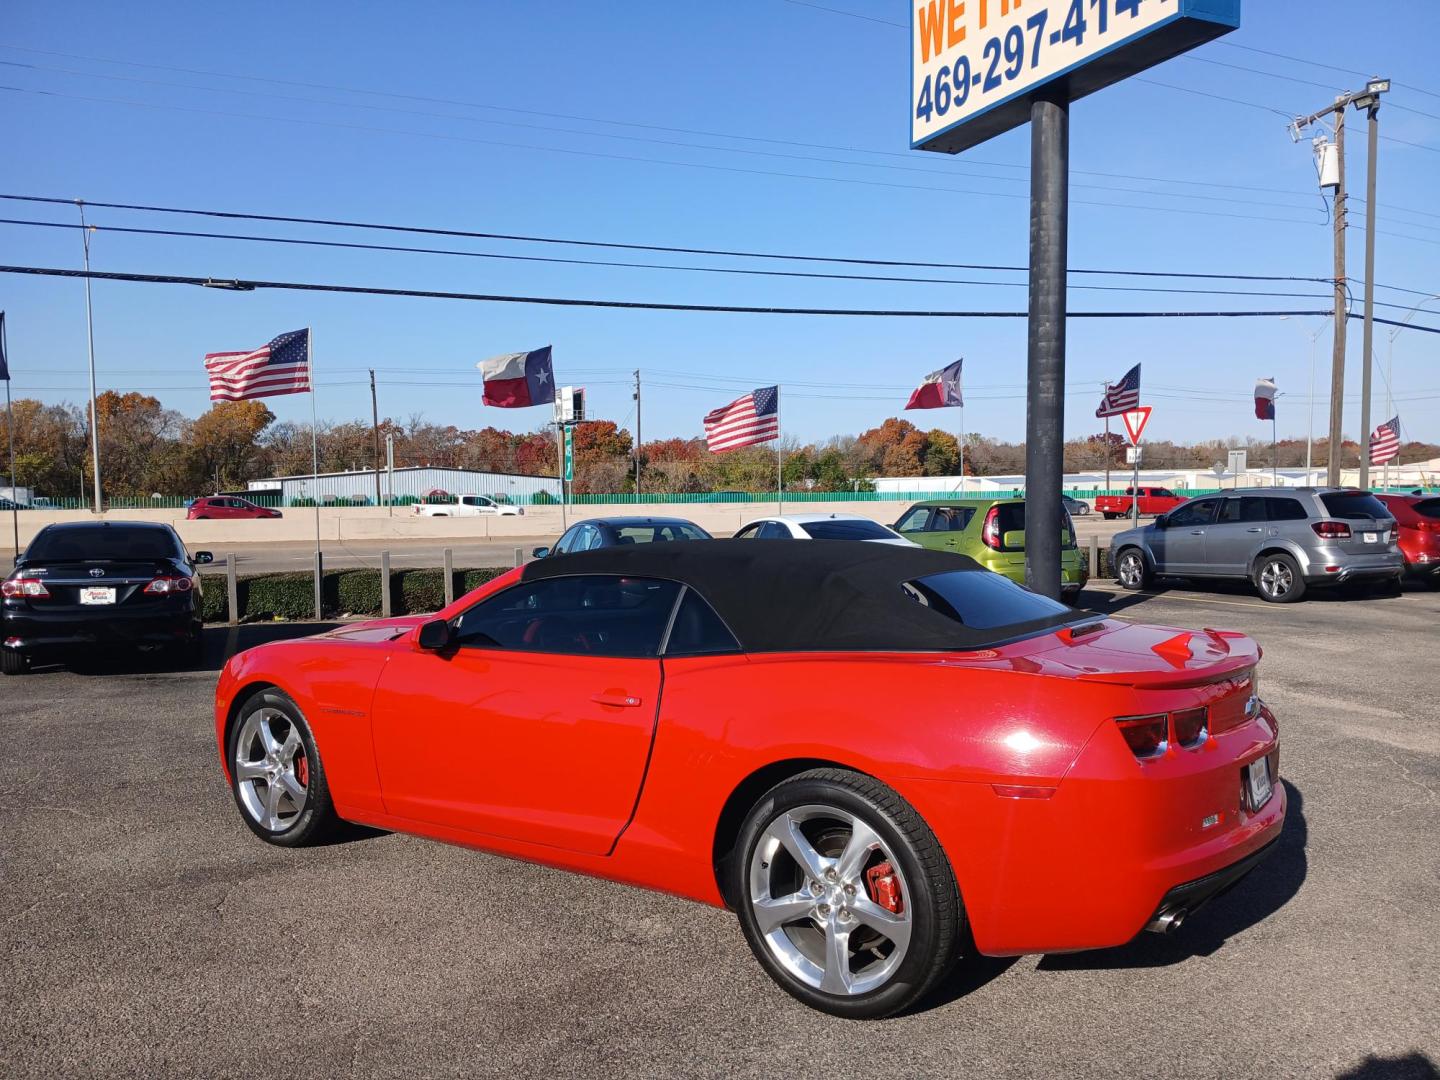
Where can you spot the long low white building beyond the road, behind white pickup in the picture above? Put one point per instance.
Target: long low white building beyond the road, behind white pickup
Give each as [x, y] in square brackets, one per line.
[405, 483]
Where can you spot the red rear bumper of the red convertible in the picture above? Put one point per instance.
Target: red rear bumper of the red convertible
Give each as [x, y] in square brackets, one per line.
[1092, 866]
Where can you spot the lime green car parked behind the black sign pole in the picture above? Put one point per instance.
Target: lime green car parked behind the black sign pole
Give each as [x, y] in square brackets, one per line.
[993, 534]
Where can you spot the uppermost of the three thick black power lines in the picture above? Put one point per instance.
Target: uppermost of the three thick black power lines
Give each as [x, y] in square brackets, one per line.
[786, 257]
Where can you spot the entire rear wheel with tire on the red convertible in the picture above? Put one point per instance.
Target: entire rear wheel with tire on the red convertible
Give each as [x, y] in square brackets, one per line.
[798, 846]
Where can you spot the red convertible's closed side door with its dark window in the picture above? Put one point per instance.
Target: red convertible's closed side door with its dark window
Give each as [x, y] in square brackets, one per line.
[538, 724]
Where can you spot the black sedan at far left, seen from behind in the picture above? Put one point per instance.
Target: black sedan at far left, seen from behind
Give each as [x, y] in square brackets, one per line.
[102, 584]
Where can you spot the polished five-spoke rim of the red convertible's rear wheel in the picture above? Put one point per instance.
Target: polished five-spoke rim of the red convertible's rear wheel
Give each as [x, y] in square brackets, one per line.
[813, 905]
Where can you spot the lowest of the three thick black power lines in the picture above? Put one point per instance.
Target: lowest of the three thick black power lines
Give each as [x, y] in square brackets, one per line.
[247, 286]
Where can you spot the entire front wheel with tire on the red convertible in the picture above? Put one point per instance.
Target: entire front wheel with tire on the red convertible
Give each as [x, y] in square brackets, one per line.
[274, 738]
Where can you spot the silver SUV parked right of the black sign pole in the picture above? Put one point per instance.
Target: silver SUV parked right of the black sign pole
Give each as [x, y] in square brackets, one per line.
[1285, 541]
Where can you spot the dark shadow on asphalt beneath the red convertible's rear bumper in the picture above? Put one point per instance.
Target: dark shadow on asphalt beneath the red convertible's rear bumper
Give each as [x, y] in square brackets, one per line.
[1259, 895]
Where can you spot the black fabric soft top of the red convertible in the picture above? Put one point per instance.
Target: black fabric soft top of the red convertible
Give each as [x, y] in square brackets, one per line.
[804, 597]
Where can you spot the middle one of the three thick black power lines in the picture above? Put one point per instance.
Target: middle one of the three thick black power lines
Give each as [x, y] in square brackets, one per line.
[629, 266]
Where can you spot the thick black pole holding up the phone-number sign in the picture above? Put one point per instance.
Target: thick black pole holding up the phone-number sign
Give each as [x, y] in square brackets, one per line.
[1046, 397]
